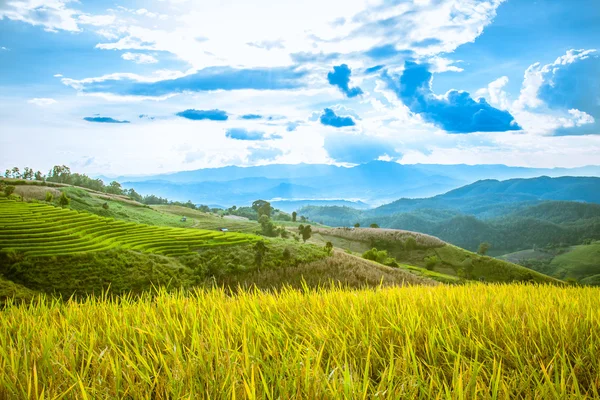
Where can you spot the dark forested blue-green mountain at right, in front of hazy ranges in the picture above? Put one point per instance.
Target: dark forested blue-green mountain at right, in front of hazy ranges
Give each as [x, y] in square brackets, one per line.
[512, 215]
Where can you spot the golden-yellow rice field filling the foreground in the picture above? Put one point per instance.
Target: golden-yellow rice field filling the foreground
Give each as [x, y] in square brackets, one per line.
[444, 342]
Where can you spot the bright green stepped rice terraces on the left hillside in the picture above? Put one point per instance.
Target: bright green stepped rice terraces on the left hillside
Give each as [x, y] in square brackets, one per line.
[43, 230]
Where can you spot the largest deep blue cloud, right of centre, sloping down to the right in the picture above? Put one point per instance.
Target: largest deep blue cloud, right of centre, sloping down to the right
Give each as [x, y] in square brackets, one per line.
[455, 112]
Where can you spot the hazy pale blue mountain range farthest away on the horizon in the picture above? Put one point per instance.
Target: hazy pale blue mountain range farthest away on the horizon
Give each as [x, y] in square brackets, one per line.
[373, 183]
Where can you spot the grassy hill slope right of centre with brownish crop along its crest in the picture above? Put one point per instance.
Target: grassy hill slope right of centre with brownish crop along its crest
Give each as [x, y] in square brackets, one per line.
[454, 260]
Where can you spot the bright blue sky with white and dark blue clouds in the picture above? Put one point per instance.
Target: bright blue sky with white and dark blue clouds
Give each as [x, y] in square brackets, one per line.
[142, 87]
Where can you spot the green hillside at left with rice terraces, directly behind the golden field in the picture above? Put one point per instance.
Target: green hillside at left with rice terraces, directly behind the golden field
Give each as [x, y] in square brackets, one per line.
[46, 249]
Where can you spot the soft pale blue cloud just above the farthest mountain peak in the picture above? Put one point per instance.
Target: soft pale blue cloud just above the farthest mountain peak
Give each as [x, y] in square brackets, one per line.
[358, 148]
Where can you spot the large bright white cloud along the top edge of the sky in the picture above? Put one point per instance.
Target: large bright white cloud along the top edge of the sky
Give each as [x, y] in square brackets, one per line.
[230, 31]
